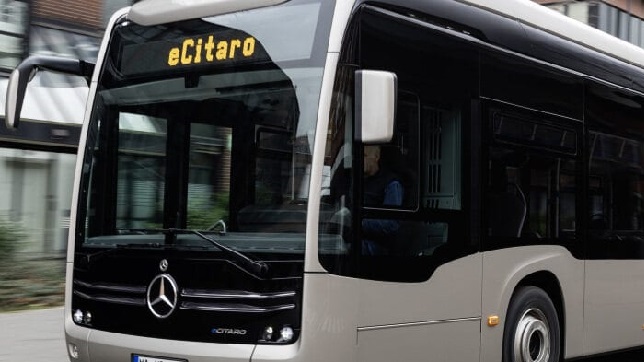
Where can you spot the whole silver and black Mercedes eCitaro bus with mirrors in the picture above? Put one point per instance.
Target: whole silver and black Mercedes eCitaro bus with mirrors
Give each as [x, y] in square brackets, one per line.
[220, 210]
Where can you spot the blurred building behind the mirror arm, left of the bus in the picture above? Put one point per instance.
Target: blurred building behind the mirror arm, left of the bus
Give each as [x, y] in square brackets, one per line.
[37, 161]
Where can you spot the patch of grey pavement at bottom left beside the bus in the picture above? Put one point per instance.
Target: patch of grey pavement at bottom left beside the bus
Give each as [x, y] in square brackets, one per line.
[34, 336]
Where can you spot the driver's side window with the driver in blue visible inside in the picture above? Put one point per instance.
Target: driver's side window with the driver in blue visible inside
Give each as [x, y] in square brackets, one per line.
[390, 186]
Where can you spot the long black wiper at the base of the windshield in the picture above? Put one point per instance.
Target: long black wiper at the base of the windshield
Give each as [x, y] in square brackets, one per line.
[255, 267]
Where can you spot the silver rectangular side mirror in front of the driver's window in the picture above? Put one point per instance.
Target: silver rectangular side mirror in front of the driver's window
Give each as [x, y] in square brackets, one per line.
[376, 93]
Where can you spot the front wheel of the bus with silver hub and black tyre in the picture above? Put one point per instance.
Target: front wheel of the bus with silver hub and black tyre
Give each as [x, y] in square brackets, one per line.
[532, 332]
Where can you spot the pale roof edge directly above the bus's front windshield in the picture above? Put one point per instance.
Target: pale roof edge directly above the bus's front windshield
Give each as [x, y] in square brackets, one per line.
[153, 12]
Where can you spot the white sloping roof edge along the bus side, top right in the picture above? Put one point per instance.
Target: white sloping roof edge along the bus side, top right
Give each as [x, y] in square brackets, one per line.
[532, 14]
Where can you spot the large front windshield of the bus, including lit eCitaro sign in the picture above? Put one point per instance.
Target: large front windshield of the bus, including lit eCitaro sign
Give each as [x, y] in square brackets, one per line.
[206, 125]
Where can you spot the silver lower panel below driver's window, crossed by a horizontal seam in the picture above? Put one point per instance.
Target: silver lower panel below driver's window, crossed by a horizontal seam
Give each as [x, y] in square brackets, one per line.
[411, 322]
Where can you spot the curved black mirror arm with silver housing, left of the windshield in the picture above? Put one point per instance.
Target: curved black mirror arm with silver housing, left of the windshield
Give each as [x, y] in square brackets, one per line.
[25, 72]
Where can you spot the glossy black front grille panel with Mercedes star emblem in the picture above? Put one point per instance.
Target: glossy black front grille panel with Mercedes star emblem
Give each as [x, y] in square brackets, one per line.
[211, 295]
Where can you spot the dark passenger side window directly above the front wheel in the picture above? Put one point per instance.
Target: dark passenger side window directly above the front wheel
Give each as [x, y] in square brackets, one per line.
[531, 179]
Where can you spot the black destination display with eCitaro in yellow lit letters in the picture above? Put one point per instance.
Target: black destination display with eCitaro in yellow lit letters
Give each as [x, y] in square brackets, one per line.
[218, 48]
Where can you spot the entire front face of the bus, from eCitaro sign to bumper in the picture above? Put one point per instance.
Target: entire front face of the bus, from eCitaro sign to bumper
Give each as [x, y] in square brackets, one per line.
[193, 186]
